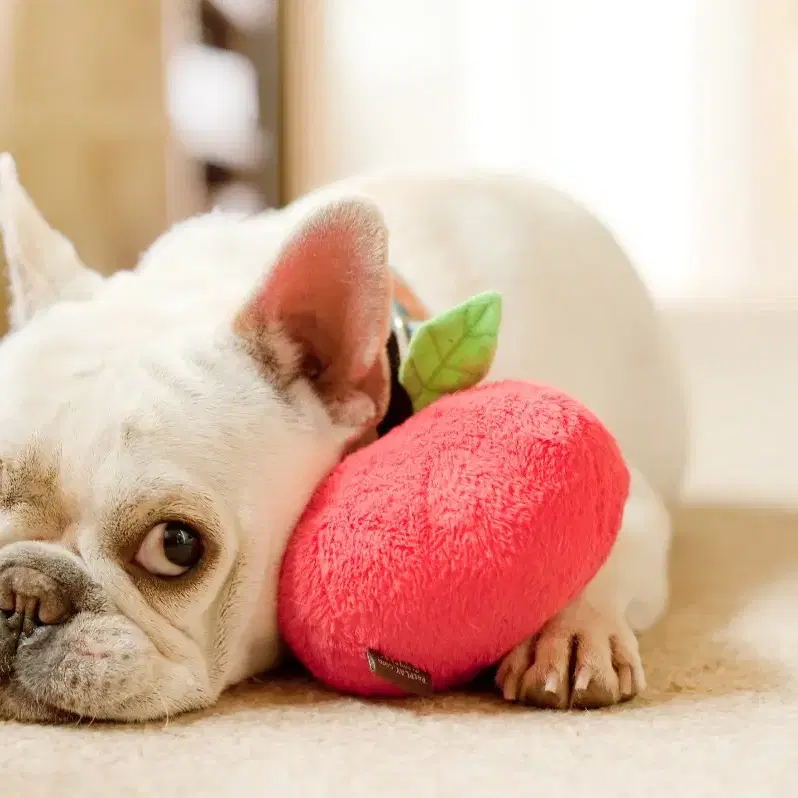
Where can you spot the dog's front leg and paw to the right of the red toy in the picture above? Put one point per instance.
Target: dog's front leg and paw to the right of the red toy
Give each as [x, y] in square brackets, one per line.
[587, 656]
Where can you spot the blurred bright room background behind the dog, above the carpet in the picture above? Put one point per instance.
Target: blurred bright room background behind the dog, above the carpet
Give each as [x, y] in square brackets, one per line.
[677, 122]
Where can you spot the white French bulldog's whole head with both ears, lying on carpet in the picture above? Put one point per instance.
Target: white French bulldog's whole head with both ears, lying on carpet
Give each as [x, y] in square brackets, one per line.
[159, 437]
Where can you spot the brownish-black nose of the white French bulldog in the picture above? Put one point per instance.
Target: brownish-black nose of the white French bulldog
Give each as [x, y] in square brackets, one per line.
[29, 598]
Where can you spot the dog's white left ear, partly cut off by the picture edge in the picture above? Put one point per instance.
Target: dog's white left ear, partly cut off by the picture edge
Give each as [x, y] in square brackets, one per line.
[43, 266]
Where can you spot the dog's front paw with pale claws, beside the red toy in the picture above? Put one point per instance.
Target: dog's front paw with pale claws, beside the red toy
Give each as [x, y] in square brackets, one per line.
[582, 659]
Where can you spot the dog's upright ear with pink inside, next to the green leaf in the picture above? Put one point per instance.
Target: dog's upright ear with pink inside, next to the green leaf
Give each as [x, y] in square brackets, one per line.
[323, 312]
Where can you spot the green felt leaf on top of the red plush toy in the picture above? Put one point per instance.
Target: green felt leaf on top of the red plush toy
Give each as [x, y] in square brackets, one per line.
[452, 351]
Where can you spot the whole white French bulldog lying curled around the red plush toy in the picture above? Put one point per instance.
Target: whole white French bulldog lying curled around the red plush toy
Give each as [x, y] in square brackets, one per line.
[161, 430]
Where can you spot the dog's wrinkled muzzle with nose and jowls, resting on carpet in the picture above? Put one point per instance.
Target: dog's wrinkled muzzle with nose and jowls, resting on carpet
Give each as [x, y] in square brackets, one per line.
[88, 661]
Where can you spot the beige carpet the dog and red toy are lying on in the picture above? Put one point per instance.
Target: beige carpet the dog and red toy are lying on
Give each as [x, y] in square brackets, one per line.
[720, 717]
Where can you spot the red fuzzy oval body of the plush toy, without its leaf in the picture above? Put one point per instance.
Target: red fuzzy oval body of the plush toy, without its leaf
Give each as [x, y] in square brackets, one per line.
[452, 538]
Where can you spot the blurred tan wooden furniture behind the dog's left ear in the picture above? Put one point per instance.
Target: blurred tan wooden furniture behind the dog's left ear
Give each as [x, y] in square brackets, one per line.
[82, 110]
